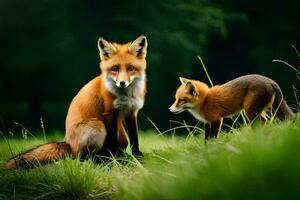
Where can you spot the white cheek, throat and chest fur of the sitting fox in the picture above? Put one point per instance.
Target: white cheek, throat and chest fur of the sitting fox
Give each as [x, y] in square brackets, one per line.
[127, 99]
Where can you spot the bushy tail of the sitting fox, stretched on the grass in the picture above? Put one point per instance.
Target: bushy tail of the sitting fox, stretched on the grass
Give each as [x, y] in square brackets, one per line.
[39, 155]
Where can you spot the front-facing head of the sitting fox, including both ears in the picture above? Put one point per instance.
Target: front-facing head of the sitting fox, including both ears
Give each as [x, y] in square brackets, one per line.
[123, 64]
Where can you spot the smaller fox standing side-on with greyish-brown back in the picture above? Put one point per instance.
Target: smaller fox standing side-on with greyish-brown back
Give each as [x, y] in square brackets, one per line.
[253, 93]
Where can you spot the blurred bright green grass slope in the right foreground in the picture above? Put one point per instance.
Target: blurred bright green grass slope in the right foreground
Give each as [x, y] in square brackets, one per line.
[252, 164]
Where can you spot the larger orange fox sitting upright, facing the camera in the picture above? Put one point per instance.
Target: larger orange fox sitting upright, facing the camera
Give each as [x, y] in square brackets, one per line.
[96, 115]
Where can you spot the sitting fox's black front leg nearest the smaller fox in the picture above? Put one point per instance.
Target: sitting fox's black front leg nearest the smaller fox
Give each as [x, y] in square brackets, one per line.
[131, 125]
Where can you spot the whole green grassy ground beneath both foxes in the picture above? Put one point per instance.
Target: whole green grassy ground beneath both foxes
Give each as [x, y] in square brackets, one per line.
[246, 163]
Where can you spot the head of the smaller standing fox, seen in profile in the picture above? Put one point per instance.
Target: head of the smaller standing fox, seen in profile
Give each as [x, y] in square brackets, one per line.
[186, 97]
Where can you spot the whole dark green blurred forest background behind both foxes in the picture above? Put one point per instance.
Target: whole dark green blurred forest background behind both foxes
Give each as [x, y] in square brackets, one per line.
[48, 50]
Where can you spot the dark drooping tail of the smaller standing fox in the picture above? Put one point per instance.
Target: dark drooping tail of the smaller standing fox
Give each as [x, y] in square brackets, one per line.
[284, 112]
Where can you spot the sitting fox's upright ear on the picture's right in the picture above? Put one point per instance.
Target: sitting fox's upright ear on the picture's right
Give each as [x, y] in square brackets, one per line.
[139, 47]
